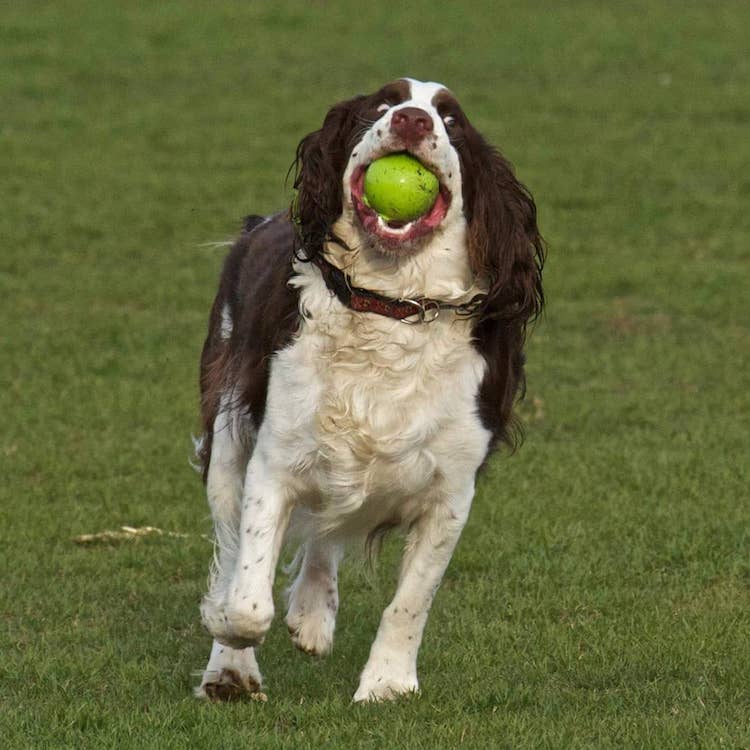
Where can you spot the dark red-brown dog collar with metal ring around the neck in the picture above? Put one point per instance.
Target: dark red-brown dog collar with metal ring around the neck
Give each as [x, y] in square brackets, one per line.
[364, 300]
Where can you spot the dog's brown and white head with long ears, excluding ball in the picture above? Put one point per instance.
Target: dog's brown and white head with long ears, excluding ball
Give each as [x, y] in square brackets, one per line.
[479, 198]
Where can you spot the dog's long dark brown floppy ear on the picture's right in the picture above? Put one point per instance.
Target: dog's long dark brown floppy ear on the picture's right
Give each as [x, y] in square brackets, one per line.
[506, 249]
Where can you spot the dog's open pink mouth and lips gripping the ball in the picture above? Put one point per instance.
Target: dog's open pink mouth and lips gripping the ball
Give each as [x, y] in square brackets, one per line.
[390, 231]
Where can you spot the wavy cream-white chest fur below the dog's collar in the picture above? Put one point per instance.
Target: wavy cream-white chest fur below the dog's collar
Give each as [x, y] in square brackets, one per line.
[370, 417]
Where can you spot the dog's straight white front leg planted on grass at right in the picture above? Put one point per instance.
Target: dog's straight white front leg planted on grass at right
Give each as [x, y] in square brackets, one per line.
[391, 669]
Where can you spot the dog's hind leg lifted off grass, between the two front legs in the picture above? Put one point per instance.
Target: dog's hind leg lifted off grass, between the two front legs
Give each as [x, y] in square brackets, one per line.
[314, 598]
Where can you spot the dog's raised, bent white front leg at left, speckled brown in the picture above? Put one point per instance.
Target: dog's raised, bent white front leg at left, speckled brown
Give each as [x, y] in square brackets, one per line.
[266, 506]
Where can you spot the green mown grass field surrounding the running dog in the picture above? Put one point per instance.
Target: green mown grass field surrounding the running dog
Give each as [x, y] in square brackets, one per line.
[600, 595]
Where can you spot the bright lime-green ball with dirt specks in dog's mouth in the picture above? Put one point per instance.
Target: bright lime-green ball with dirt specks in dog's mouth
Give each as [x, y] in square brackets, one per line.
[400, 188]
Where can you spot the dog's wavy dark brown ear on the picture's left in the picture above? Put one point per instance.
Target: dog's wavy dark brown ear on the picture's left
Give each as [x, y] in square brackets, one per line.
[318, 170]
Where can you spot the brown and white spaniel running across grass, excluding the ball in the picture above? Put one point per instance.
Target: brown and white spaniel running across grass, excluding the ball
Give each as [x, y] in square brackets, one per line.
[356, 374]
